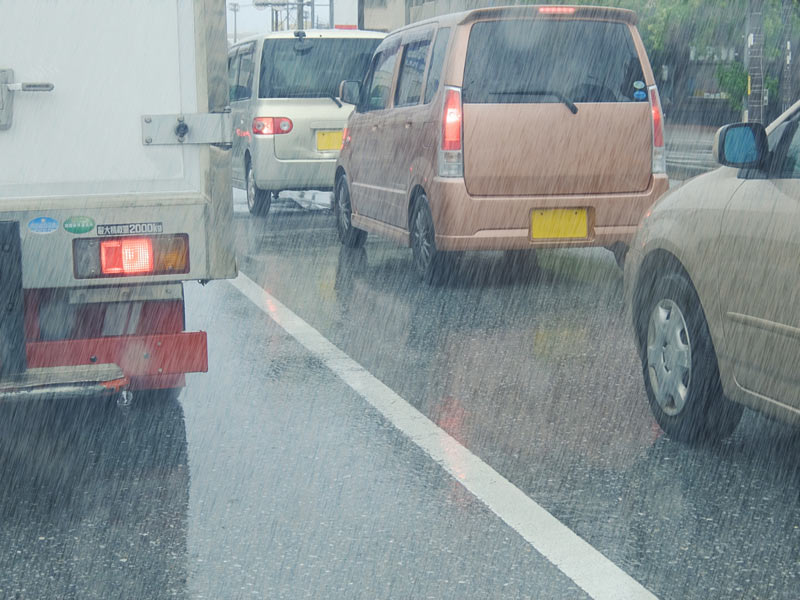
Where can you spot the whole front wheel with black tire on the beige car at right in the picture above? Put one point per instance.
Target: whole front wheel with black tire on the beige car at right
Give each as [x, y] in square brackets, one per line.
[681, 374]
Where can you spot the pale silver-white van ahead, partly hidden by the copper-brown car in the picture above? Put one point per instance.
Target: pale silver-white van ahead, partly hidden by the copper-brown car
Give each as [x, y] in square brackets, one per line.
[287, 118]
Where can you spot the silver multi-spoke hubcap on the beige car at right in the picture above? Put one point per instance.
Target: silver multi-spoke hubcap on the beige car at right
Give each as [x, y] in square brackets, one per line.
[669, 356]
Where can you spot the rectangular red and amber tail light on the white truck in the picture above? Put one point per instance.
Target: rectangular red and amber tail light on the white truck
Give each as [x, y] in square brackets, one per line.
[130, 256]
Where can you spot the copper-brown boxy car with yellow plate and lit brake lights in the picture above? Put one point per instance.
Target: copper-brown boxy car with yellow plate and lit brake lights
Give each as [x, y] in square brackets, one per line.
[508, 128]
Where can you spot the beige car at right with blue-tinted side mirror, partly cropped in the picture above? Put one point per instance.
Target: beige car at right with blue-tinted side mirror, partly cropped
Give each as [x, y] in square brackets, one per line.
[713, 282]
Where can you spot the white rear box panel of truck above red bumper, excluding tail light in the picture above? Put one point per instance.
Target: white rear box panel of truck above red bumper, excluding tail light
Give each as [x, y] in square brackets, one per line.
[113, 123]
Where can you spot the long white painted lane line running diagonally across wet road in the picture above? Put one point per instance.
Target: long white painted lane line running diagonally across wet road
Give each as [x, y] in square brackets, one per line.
[571, 554]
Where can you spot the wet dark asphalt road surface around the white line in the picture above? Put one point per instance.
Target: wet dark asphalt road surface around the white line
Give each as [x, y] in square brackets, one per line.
[271, 478]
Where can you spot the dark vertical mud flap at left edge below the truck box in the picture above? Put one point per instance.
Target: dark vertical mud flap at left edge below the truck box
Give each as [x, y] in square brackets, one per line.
[12, 331]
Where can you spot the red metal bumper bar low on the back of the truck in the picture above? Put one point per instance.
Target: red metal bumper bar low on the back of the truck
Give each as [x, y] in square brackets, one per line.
[151, 356]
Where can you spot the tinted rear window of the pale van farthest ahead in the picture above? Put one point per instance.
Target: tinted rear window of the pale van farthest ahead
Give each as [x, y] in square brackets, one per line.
[310, 68]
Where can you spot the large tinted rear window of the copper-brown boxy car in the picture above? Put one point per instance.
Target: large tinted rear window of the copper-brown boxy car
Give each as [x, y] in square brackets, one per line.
[527, 61]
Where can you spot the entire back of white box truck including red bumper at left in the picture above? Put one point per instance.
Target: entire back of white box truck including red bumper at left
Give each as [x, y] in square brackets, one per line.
[114, 189]
